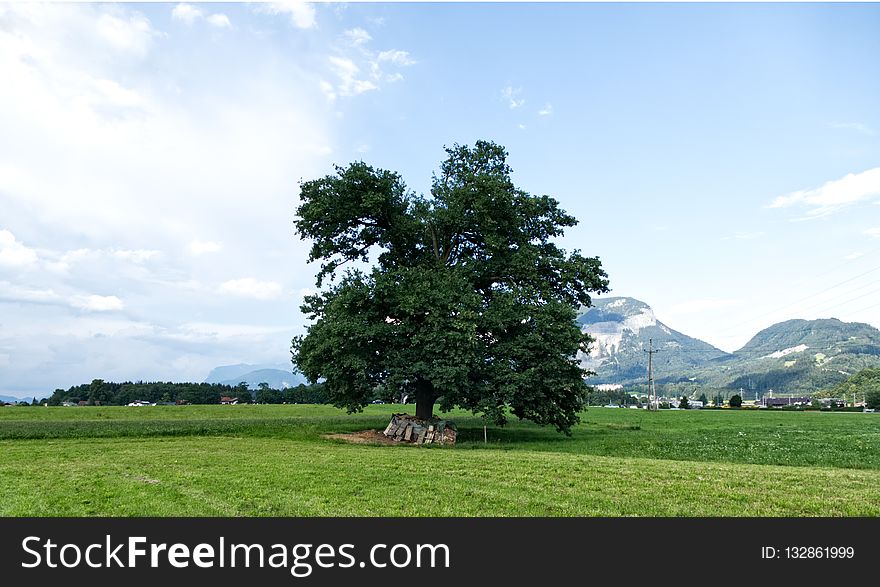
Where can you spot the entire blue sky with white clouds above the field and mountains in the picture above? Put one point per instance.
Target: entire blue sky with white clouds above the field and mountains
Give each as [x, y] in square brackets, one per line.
[723, 161]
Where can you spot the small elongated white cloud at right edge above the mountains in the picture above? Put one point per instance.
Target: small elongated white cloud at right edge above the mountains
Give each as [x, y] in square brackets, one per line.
[834, 195]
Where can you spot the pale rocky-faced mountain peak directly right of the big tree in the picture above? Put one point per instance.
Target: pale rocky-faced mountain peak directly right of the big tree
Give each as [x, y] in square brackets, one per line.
[622, 328]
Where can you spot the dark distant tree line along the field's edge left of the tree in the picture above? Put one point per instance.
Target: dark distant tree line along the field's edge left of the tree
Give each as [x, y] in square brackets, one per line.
[108, 393]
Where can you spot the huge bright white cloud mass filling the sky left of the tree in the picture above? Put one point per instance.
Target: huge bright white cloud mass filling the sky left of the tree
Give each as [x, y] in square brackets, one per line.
[145, 156]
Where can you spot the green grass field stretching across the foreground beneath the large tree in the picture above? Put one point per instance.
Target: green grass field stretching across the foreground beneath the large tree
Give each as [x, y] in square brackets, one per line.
[275, 461]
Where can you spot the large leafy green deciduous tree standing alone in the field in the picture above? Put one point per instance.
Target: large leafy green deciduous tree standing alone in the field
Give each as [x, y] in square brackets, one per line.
[460, 297]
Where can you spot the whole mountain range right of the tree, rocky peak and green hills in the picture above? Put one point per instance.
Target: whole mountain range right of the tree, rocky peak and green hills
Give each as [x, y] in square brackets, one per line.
[796, 356]
